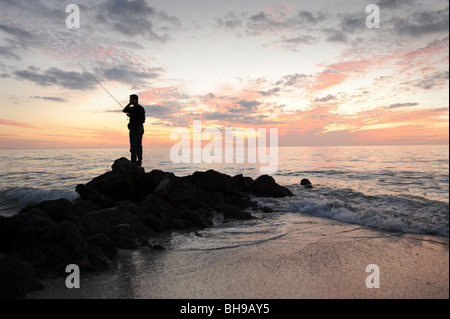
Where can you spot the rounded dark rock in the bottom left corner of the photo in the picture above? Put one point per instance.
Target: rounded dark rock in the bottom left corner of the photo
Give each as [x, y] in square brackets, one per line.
[17, 278]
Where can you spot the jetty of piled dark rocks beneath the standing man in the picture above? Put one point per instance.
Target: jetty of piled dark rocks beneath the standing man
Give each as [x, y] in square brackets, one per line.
[121, 209]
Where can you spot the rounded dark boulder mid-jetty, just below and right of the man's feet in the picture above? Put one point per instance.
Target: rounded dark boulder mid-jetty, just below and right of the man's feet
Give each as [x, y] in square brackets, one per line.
[155, 212]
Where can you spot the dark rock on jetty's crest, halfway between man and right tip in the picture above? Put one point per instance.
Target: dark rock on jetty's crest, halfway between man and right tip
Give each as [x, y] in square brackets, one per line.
[213, 181]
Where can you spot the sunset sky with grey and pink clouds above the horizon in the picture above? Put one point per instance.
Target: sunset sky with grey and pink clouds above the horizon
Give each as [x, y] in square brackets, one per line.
[312, 69]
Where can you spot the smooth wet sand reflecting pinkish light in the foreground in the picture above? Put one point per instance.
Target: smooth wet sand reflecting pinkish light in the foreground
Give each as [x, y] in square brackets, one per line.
[315, 258]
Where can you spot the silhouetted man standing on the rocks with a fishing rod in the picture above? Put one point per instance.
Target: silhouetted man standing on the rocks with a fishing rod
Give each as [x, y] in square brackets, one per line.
[136, 114]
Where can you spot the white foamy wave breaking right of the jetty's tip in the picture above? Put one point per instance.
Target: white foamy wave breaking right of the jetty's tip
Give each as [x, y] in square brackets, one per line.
[409, 214]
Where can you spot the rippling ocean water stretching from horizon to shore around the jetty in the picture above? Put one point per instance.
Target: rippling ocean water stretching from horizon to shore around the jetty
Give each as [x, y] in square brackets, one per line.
[392, 188]
